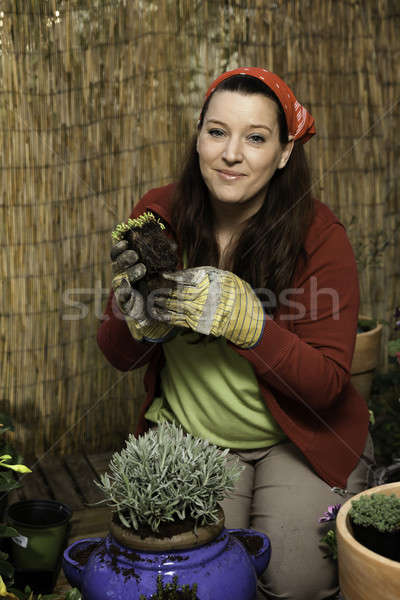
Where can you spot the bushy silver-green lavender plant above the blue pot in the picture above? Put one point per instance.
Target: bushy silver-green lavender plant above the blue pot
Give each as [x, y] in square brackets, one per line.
[166, 475]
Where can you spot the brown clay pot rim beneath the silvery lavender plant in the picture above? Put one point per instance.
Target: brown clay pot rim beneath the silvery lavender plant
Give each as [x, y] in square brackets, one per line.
[181, 541]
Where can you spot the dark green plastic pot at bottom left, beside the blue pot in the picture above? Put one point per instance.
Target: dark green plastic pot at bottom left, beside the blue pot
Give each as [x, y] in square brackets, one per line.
[36, 553]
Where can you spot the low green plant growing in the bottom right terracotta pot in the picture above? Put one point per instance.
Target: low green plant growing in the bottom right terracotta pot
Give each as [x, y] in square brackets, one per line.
[378, 510]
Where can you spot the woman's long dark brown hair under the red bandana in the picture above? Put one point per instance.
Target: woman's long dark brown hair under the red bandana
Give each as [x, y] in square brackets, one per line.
[272, 243]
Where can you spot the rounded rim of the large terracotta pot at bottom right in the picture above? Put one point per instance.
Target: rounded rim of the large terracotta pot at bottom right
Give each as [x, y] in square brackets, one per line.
[343, 525]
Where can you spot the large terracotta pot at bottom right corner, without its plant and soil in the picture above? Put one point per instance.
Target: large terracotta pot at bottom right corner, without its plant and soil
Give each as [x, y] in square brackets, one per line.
[364, 574]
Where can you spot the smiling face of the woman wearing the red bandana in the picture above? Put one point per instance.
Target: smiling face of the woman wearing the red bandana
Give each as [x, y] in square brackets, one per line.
[239, 148]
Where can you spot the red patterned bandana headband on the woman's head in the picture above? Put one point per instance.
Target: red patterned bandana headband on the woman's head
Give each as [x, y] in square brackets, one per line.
[299, 121]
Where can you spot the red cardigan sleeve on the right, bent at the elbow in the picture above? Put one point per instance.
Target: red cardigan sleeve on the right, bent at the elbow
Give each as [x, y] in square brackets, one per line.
[310, 362]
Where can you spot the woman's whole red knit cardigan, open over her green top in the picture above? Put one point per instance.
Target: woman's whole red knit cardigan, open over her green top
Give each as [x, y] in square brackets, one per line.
[303, 360]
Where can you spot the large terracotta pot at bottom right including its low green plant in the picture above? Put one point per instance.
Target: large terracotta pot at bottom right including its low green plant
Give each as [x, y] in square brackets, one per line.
[368, 540]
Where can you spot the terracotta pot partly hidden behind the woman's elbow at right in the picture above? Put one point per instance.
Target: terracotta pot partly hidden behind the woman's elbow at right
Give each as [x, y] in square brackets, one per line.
[366, 359]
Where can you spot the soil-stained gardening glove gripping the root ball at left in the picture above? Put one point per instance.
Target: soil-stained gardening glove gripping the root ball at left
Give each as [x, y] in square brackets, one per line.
[128, 272]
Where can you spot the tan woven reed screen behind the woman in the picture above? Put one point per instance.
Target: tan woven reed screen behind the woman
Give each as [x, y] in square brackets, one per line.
[97, 102]
